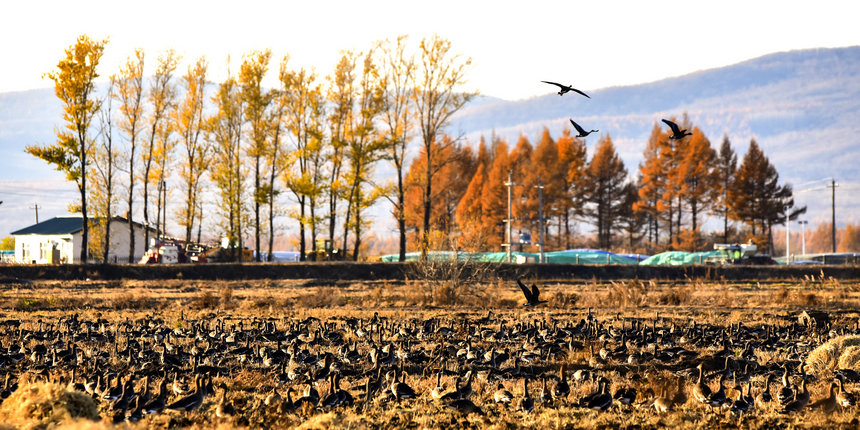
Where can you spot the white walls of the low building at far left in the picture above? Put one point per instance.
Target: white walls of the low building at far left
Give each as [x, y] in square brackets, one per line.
[36, 248]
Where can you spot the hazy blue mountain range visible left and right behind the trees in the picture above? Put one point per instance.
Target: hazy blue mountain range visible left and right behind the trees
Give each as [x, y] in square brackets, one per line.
[802, 107]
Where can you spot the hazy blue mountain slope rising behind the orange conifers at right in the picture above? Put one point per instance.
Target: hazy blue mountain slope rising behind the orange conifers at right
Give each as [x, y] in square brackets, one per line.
[802, 107]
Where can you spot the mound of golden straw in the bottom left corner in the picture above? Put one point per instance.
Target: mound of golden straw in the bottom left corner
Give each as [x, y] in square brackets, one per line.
[42, 405]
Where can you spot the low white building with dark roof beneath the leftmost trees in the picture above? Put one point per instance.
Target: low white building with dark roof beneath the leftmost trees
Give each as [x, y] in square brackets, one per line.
[58, 240]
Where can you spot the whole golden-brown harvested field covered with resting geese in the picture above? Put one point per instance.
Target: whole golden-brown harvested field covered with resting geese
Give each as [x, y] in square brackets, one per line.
[259, 345]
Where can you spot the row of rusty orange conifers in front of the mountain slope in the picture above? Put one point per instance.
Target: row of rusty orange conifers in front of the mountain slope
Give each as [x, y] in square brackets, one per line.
[678, 183]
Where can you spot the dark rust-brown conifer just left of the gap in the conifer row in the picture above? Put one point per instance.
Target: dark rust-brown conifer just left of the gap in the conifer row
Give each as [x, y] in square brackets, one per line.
[605, 182]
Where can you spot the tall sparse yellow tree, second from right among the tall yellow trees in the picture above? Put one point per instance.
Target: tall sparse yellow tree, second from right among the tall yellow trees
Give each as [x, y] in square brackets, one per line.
[397, 70]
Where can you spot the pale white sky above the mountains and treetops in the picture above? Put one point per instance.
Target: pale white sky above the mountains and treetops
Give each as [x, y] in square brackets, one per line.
[513, 44]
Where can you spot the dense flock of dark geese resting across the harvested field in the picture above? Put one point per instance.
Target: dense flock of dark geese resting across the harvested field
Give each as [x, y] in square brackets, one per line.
[135, 368]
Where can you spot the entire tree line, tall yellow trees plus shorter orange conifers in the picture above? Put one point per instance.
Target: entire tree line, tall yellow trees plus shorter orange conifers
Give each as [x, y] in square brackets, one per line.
[317, 141]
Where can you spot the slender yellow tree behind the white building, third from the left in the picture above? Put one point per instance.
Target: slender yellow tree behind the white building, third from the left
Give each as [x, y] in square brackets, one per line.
[130, 96]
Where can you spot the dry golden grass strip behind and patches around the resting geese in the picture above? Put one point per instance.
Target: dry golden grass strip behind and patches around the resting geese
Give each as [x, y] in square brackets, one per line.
[720, 303]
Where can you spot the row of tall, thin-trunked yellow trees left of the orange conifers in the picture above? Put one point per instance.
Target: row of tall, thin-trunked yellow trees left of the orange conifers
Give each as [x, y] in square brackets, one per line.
[318, 140]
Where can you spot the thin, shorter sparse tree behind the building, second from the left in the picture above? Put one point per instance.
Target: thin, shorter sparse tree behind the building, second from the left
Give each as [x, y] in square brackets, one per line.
[104, 177]
